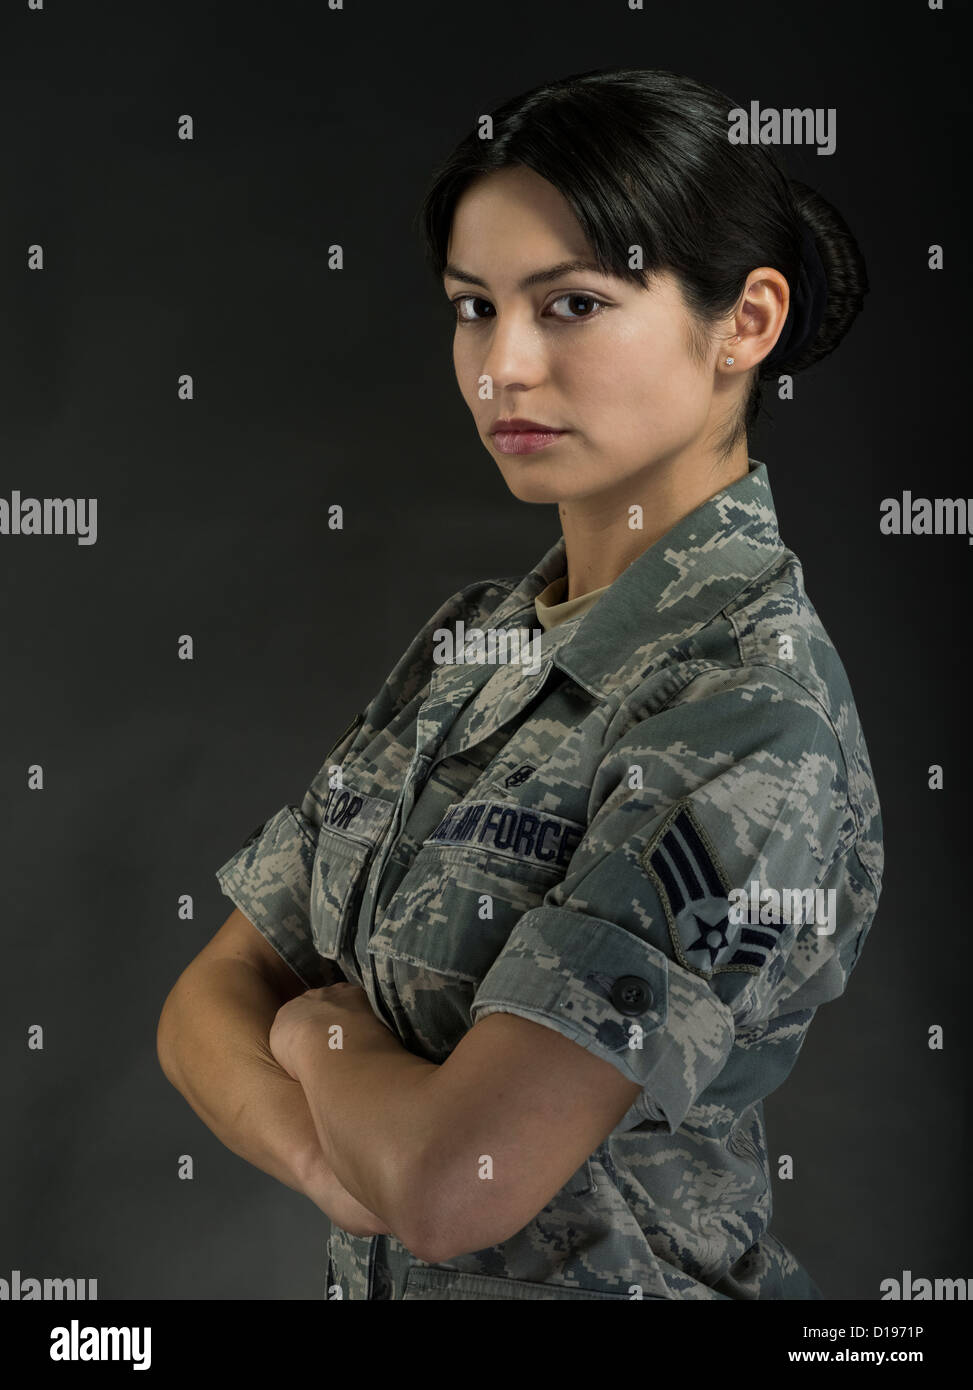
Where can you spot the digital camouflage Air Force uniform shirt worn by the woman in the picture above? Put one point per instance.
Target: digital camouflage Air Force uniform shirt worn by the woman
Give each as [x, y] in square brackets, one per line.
[564, 846]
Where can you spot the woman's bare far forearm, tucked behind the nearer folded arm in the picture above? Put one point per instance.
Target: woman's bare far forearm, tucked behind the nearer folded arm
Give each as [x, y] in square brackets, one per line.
[213, 1047]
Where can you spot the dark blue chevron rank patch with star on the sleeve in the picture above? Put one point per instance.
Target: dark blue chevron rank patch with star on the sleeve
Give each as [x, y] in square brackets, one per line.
[689, 876]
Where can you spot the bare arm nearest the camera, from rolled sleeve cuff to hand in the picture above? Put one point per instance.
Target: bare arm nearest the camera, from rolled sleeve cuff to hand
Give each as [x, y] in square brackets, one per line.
[461, 1156]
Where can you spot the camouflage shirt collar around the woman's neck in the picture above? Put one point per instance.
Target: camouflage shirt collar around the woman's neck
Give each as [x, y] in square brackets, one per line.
[669, 591]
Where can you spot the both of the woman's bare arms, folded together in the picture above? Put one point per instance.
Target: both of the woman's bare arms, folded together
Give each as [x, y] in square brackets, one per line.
[451, 1159]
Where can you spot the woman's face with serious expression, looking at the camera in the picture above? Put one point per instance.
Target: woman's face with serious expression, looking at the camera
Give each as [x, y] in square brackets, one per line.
[582, 352]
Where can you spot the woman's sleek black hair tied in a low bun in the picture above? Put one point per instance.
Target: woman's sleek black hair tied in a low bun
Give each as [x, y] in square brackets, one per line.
[643, 158]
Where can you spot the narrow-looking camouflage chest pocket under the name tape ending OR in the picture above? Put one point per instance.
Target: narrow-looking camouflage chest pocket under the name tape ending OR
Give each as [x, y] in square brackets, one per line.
[354, 826]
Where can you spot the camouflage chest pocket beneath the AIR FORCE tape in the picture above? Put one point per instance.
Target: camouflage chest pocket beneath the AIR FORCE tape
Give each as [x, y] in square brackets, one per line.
[480, 869]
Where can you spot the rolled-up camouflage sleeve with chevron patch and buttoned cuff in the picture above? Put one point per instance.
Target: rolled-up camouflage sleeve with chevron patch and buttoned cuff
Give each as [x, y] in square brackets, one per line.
[636, 956]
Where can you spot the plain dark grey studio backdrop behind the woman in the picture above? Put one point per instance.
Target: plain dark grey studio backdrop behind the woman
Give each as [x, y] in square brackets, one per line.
[312, 387]
